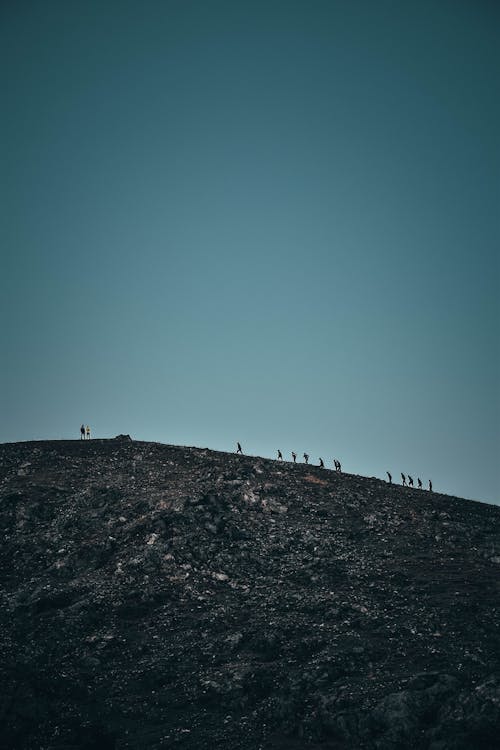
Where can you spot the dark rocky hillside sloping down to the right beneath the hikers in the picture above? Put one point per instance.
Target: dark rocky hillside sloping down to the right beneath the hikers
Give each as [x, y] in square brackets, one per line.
[156, 596]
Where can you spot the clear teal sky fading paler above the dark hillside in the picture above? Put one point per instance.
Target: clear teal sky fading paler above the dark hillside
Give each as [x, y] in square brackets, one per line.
[273, 222]
